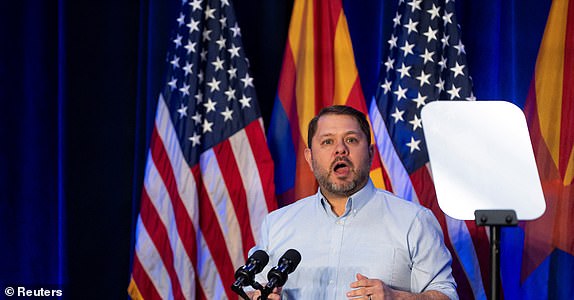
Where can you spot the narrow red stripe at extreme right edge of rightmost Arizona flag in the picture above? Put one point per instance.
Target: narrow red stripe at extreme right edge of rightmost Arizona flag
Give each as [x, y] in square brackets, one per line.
[566, 125]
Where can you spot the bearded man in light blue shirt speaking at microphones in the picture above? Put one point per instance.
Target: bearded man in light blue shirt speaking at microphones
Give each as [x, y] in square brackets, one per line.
[356, 241]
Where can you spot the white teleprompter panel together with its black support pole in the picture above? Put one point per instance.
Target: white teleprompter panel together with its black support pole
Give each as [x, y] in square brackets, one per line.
[483, 167]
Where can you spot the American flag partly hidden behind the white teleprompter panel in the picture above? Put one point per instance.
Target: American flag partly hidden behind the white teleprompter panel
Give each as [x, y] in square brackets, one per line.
[426, 62]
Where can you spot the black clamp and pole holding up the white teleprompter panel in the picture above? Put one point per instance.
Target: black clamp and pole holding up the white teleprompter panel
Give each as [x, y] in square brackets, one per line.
[495, 219]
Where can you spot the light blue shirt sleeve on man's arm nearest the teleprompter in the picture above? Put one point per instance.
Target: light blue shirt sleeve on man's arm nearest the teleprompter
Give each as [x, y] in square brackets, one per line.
[431, 260]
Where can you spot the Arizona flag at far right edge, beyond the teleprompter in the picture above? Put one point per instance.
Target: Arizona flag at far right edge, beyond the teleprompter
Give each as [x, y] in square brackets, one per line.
[548, 257]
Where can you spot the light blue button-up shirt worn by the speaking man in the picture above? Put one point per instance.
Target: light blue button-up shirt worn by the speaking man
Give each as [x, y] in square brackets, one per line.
[379, 235]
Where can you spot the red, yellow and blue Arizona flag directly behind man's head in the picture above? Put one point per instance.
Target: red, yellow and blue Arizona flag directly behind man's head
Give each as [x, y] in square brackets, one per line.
[318, 70]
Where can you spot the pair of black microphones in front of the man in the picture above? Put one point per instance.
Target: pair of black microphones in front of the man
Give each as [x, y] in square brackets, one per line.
[245, 275]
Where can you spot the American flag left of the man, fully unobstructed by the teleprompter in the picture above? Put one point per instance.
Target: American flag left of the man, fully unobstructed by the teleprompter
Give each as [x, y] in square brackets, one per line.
[209, 175]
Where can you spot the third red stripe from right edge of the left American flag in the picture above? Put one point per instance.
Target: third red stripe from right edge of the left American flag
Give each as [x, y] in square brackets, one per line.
[213, 235]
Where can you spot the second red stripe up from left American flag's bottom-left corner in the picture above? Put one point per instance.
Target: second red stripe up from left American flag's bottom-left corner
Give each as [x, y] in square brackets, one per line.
[158, 234]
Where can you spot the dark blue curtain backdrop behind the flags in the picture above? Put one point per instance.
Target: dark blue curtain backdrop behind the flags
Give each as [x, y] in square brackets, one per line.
[78, 85]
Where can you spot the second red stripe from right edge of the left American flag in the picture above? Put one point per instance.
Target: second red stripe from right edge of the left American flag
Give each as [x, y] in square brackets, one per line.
[234, 184]
